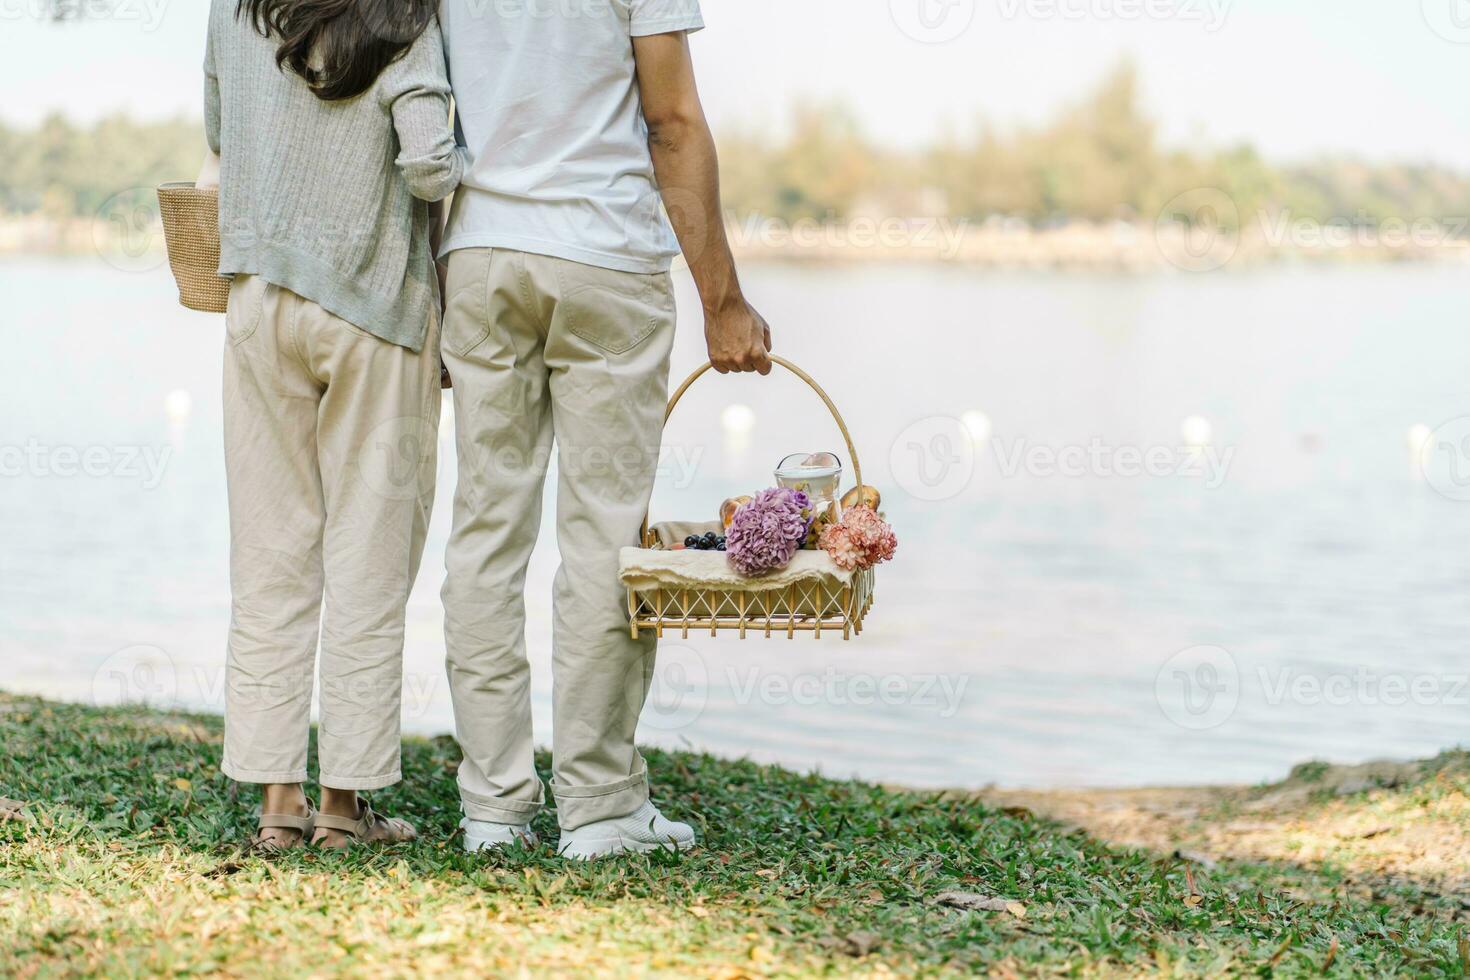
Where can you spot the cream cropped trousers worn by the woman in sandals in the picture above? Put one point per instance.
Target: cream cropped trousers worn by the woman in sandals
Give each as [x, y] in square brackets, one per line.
[330, 455]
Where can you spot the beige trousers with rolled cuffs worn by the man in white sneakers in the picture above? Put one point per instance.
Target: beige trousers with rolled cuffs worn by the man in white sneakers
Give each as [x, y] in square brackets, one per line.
[545, 349]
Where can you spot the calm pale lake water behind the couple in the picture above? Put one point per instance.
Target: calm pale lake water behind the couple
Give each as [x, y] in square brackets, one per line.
[1294, 587]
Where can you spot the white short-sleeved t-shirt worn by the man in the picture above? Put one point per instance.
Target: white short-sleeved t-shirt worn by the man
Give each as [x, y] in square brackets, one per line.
[549, 108]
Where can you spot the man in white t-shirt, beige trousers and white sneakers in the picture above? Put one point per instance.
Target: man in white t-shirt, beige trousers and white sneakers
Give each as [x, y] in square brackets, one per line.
[578, 115]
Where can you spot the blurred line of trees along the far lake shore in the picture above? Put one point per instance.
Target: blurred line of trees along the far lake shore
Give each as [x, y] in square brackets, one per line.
[1096, 162]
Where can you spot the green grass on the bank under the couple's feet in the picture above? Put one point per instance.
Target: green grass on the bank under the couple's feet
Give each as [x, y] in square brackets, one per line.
[132, 865]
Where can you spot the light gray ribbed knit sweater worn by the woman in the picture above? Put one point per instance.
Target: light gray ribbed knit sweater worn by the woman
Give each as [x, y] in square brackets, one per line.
[330, 199]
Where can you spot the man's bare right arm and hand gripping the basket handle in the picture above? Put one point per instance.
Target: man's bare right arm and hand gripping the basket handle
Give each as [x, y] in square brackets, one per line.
[689, 174]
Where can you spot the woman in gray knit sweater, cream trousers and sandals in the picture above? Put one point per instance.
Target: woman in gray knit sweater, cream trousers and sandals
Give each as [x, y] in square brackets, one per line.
[331, 123]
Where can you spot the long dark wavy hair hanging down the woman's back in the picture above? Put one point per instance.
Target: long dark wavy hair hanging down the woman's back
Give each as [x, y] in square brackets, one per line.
[348, 42]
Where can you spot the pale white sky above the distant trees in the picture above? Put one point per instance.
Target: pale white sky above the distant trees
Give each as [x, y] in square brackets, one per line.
[1380, 80]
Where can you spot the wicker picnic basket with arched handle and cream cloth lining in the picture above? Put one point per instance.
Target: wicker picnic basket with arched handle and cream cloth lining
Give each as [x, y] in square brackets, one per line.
[818, 599]
